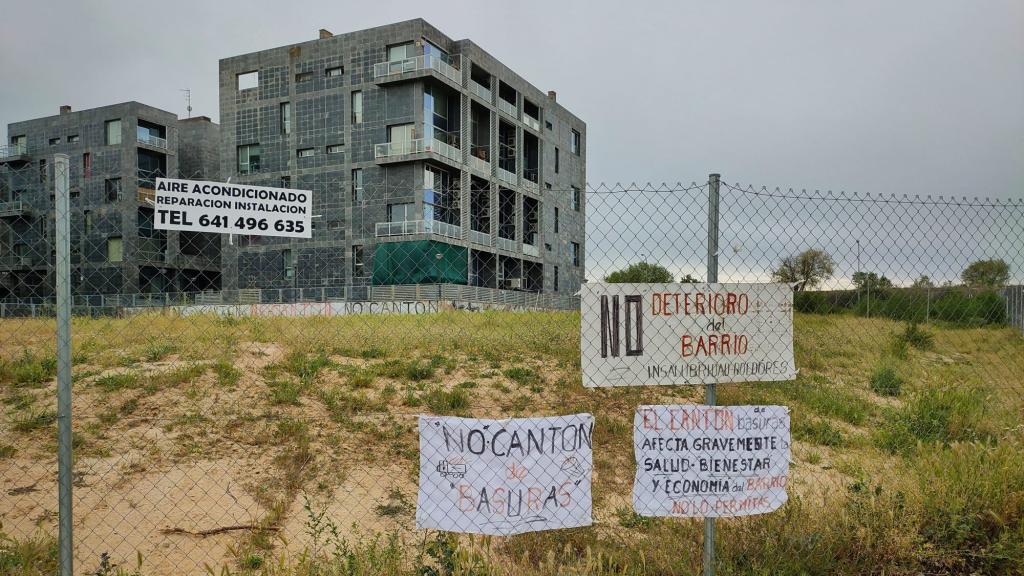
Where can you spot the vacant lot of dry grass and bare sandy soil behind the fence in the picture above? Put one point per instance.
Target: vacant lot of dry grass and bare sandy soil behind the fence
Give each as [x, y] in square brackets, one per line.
[289, 446]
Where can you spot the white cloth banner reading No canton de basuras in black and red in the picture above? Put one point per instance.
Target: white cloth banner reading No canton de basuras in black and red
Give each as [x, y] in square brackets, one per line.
[505, 477]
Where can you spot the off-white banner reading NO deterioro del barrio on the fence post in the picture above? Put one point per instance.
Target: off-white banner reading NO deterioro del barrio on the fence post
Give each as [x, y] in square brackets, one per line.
[645, 335]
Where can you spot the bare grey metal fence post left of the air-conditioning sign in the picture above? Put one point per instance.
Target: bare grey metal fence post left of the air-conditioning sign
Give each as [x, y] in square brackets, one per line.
[63, 269]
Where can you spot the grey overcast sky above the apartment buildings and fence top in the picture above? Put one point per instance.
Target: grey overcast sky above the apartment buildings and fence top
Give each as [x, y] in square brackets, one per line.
[919, 98]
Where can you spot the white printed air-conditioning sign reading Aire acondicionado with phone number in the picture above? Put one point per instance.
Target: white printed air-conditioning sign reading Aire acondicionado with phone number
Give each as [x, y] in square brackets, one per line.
[227, 209]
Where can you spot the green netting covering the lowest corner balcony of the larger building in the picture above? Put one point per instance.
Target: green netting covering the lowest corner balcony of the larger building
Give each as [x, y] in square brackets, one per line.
[420, 262]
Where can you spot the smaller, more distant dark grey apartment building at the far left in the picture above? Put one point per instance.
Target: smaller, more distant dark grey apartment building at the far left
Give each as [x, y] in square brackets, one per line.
[116, 153]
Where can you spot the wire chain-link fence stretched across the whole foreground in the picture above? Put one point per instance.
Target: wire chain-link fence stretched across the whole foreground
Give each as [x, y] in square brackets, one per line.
[252, 404]
